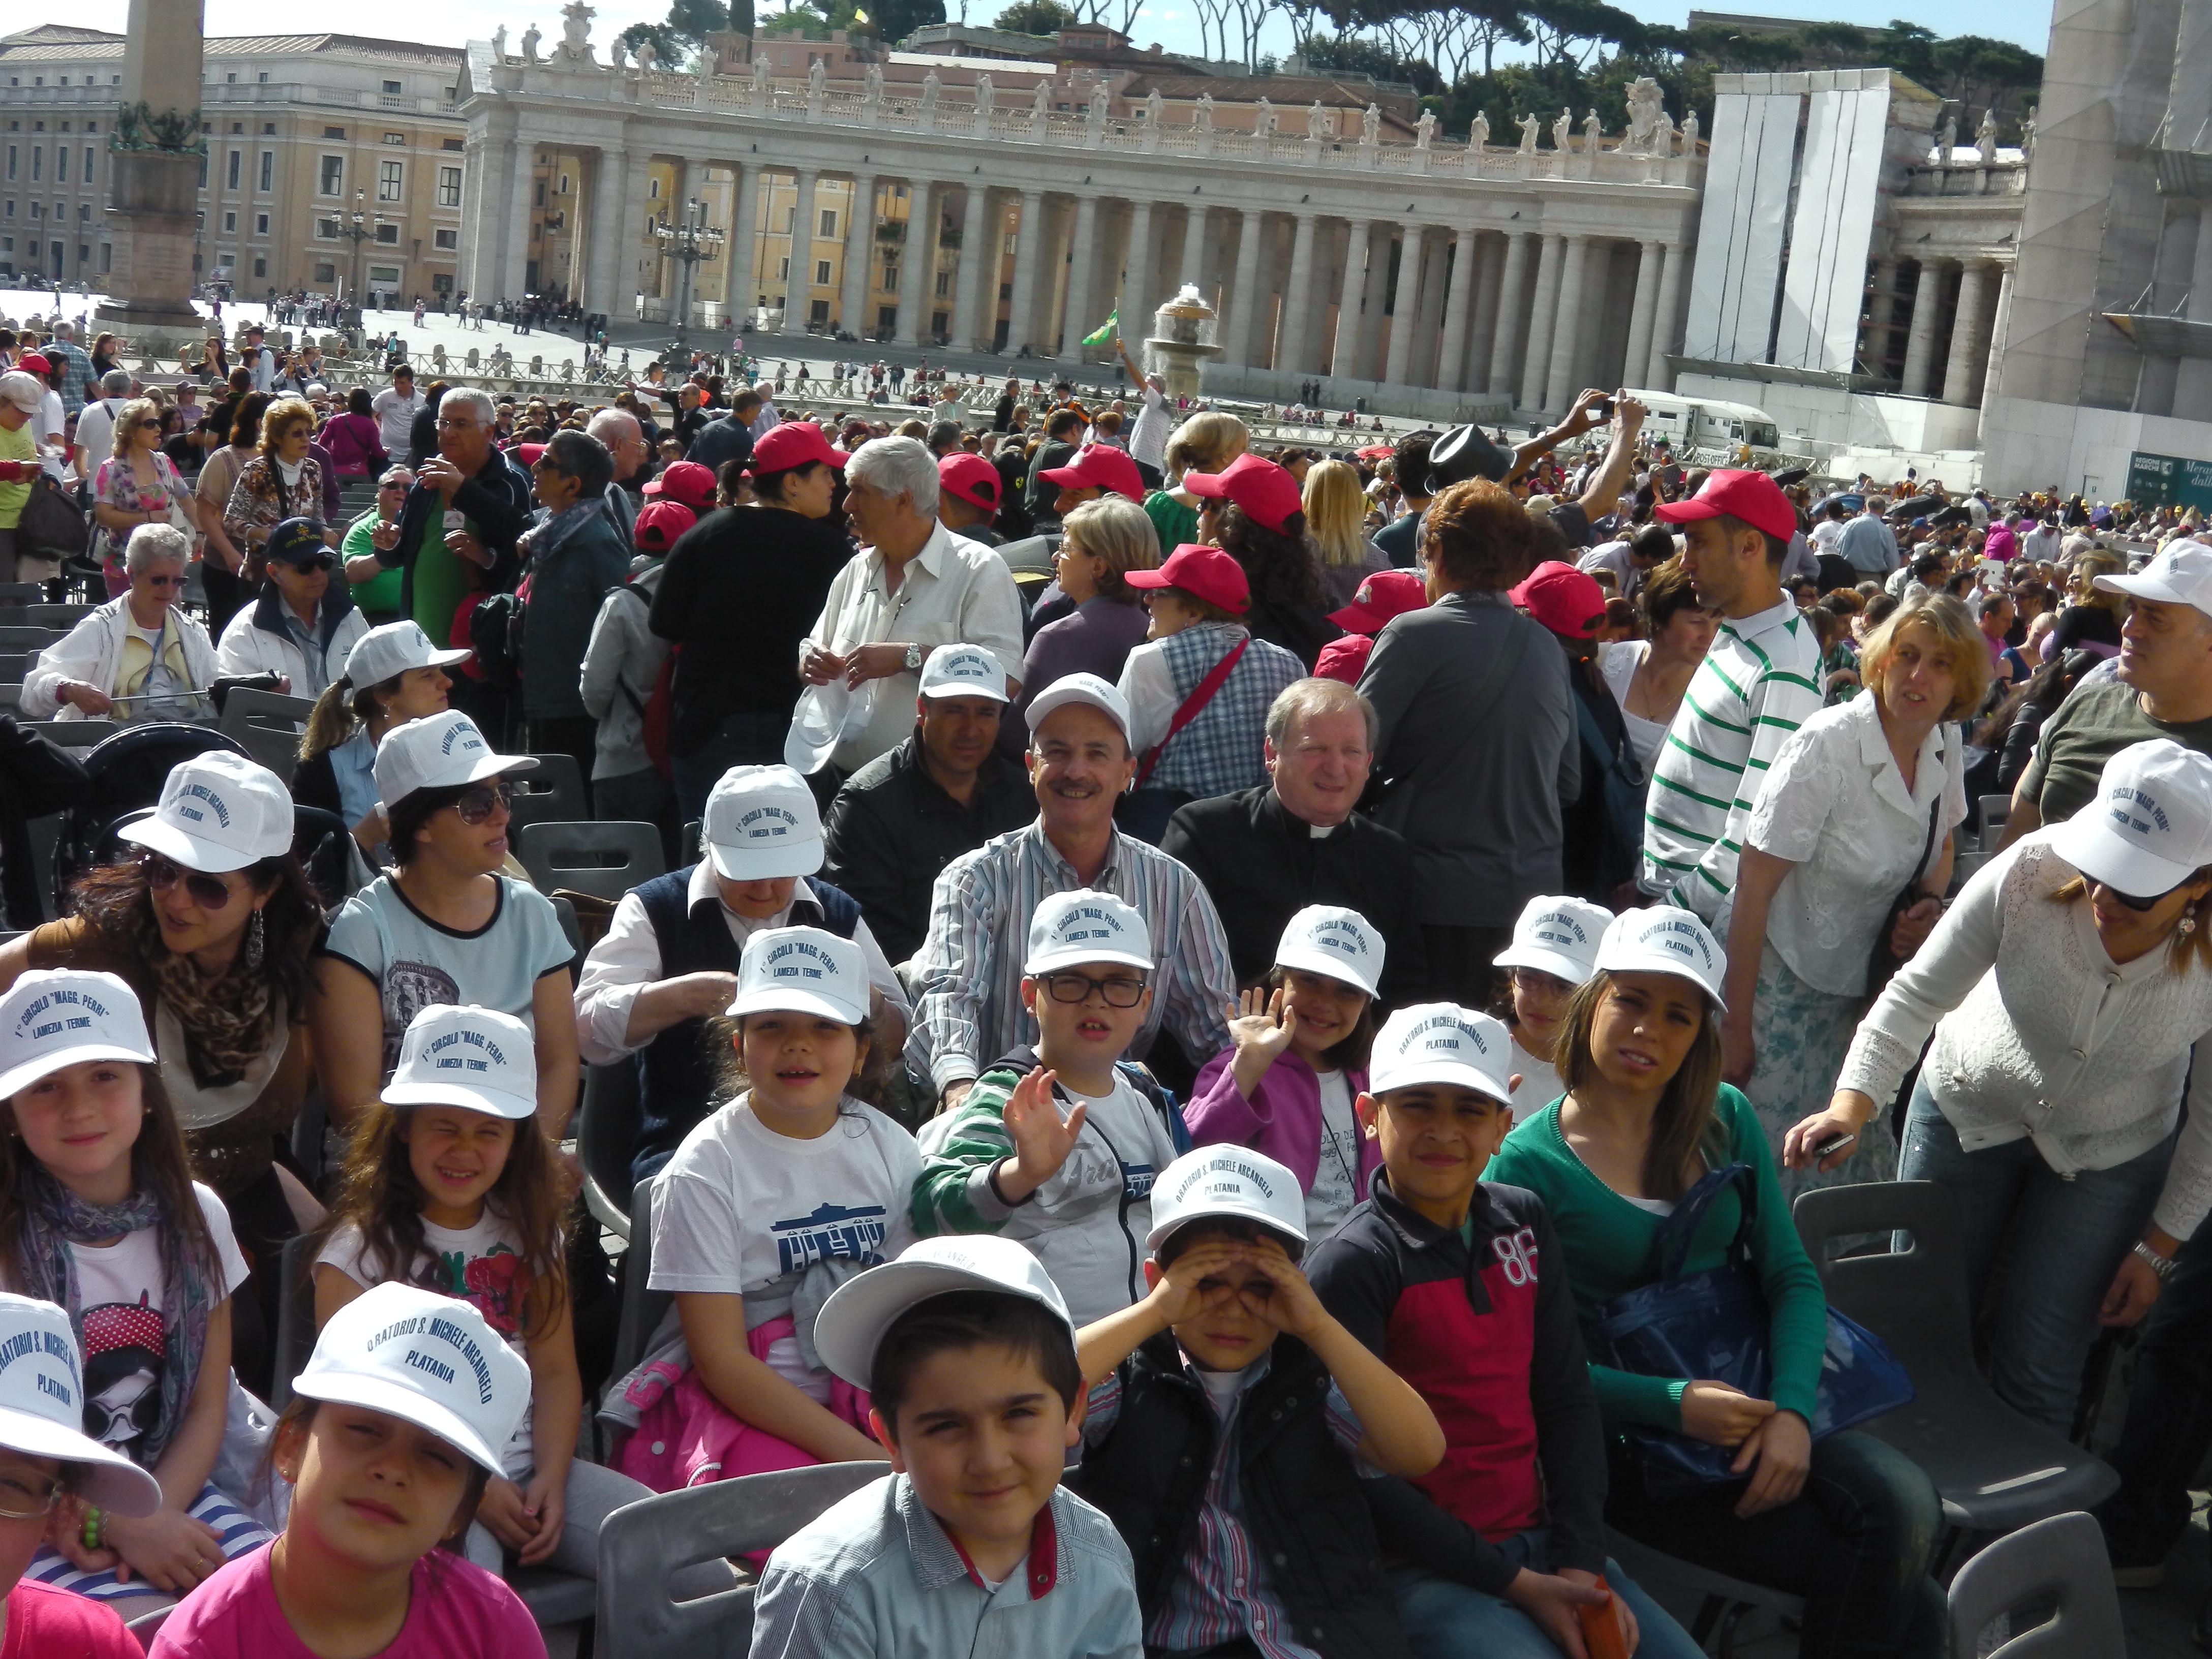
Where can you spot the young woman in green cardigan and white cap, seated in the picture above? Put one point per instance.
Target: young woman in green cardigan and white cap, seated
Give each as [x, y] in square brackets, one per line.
[1846, 1523]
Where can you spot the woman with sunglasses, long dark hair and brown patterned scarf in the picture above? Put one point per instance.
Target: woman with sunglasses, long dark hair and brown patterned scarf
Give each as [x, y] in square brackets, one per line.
[211, 921]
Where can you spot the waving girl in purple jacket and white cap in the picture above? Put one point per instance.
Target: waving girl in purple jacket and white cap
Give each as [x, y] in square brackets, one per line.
[1300, 1061]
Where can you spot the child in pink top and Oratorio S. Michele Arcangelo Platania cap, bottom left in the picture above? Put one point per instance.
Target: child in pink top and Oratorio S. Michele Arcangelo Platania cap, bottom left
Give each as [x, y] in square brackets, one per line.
[388, 1446]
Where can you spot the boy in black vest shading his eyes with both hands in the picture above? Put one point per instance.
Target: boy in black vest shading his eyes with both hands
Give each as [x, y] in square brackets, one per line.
[1229, 1419]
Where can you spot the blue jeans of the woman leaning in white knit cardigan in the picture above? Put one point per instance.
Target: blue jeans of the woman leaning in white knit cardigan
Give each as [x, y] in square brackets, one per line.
[2065, 1238]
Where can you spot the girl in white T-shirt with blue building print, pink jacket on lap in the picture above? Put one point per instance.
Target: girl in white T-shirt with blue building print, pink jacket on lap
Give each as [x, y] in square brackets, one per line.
[771, 1202]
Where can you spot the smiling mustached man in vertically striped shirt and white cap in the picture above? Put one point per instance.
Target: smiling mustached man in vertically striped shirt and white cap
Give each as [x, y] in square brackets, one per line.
[968, 977]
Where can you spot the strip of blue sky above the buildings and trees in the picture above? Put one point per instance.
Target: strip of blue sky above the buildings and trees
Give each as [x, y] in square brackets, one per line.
[1171, 23]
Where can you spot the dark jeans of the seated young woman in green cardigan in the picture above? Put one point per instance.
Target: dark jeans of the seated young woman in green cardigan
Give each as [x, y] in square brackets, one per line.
[1857, 1543]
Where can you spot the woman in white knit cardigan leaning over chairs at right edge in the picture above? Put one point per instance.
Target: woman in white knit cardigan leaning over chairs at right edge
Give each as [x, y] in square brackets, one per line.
[2069, 990]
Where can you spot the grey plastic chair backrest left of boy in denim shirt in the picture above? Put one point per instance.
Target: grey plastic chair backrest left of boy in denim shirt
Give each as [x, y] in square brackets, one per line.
[645, 1543]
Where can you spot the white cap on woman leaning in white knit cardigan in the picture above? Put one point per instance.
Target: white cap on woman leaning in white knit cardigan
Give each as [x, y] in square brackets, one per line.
[2149, 828]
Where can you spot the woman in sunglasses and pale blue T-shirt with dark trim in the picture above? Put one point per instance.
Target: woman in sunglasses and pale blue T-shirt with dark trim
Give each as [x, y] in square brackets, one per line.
[444, 926]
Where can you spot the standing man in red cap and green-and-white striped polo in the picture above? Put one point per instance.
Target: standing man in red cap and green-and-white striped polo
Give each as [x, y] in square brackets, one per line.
[1760, 682]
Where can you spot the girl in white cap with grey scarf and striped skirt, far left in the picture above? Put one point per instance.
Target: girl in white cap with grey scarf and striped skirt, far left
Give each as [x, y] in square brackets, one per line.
[101, 1215]
